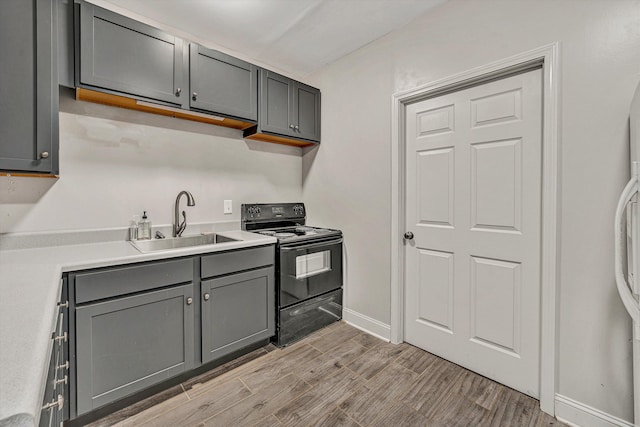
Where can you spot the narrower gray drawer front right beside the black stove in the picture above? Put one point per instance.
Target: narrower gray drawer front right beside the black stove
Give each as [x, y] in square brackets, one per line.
[231, 262]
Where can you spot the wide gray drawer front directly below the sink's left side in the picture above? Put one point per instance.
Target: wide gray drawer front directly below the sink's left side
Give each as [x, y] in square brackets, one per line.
[125, 280]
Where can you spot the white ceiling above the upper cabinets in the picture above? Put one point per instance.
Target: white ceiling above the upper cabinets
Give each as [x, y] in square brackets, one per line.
[295, 36]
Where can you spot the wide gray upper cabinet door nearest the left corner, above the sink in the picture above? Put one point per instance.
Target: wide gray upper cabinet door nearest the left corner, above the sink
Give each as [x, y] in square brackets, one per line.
[122, 55]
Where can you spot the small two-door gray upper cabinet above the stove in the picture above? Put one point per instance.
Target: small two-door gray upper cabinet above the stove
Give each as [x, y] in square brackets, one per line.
[287, 109]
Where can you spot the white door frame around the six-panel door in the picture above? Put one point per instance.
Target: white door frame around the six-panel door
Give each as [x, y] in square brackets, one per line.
[548, 57]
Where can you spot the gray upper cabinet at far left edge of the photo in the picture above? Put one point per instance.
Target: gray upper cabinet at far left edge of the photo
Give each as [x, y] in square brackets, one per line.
[28, 88]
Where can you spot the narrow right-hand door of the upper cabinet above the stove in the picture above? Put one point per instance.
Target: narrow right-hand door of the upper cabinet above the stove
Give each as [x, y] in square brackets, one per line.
[306, 111]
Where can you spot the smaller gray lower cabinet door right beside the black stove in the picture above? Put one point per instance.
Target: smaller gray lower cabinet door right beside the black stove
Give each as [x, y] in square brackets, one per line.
[237, 310]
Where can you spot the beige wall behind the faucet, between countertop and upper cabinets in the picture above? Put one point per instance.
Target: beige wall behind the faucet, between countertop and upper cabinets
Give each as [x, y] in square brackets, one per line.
[115, 163]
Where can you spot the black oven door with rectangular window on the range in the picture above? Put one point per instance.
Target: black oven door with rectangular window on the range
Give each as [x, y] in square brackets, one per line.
[309, 269]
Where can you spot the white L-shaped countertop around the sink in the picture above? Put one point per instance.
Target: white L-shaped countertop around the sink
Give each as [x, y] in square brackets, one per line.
[30, 286]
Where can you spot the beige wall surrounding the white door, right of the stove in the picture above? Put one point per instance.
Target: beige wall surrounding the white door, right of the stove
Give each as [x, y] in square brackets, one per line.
[346, 182]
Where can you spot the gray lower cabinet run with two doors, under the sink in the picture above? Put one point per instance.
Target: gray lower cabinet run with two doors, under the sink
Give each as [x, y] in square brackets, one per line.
[135, 326]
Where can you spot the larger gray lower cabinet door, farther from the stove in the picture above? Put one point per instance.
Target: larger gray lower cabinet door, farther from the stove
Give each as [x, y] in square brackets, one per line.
[127, 344]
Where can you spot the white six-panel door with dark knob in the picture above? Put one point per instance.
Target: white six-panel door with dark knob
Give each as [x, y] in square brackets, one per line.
[473, 202]
